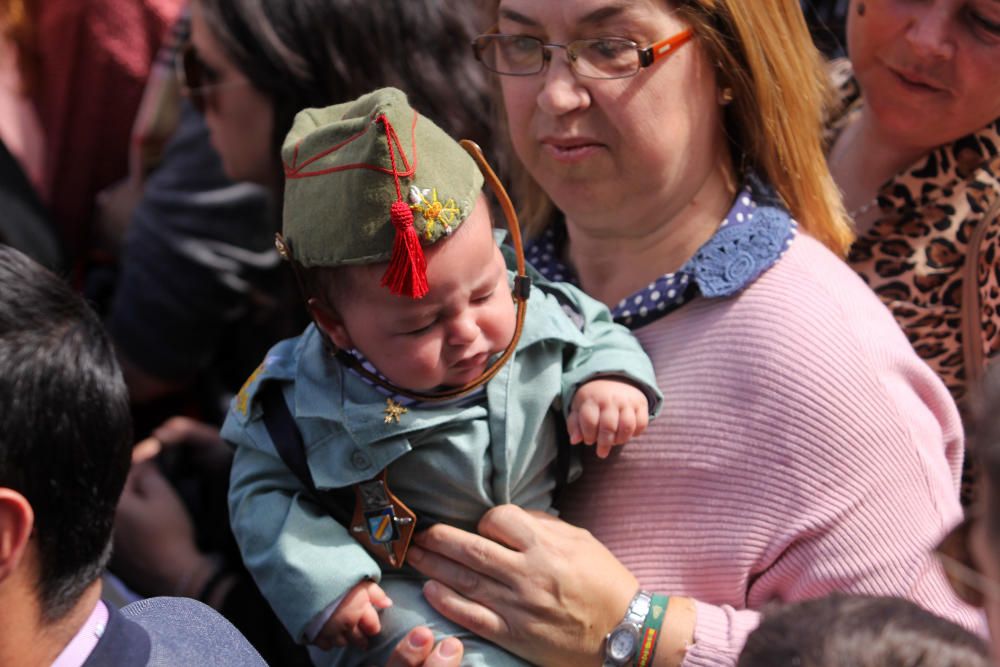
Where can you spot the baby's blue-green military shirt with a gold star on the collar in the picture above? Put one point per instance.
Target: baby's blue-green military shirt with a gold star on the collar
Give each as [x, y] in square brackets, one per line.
[452, 461]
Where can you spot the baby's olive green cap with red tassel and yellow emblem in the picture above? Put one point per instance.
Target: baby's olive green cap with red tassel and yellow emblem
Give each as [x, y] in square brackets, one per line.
[372, 181]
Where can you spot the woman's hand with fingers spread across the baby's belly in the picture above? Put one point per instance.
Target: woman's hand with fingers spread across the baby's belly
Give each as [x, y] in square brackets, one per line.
[533, 584]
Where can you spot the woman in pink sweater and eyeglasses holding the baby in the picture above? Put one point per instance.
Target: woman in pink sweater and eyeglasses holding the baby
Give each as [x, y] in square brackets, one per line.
[673, 160]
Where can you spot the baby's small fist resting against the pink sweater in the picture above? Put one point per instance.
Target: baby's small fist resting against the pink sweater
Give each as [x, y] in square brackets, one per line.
[607, 413]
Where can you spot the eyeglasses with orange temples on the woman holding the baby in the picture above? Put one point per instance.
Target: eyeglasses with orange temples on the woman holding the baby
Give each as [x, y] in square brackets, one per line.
[599, 58]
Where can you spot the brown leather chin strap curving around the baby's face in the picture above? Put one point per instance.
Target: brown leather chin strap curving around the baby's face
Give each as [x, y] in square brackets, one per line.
[520, 292]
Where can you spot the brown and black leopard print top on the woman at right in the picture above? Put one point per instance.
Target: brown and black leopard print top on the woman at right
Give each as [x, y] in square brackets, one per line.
[913, 256]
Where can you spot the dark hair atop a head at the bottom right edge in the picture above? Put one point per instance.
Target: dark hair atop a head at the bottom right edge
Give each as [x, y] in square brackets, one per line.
[860, 631]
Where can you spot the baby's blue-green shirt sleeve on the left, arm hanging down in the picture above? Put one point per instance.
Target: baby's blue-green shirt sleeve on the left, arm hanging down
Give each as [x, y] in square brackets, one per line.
[287, 541]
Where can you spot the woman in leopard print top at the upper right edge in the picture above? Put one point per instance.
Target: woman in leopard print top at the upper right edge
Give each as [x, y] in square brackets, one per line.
[912, 144]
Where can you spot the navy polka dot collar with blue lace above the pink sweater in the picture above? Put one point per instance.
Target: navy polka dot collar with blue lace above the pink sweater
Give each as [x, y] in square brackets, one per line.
[756, 231]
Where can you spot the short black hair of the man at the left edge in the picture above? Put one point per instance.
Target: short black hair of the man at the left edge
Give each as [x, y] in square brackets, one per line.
[65, 428]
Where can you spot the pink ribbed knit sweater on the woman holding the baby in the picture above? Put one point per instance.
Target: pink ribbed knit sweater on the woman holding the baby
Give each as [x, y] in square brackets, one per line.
[802, 448]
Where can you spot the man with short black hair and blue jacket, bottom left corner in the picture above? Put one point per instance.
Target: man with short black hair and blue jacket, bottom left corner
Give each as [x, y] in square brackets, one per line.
[65, 446]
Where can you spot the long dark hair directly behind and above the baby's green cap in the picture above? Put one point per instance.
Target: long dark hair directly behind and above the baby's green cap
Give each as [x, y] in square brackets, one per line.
[314, 53]
